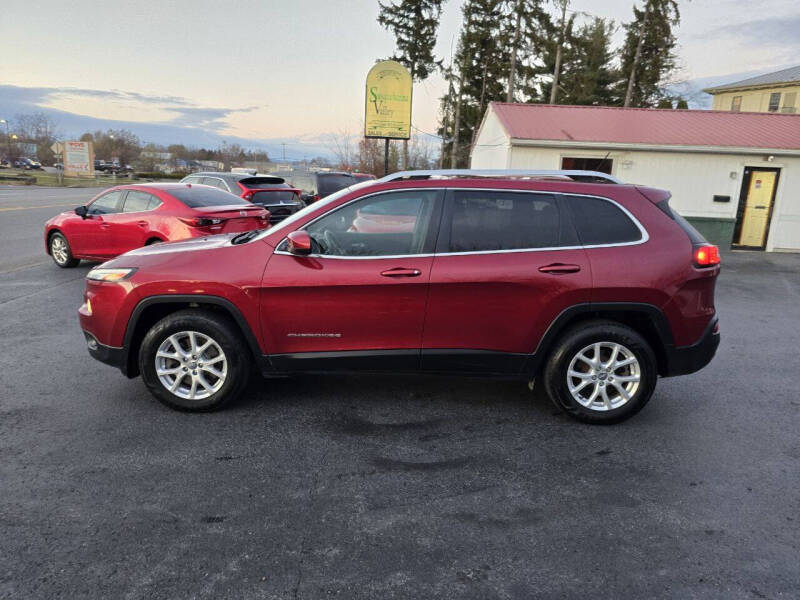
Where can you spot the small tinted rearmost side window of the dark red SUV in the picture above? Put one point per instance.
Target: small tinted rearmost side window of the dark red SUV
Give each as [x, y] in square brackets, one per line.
[600, 222]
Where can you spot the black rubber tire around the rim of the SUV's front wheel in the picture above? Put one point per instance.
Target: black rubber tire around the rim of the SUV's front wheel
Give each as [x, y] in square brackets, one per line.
[221, 330]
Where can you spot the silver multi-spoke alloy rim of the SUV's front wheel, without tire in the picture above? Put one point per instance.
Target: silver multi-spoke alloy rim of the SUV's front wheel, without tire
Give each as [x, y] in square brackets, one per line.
[191, 365]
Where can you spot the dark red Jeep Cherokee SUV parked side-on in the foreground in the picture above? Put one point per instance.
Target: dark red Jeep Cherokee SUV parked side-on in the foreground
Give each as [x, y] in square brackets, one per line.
[596, 288]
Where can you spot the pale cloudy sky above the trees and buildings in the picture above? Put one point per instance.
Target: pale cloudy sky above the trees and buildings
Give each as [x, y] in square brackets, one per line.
[260, 69]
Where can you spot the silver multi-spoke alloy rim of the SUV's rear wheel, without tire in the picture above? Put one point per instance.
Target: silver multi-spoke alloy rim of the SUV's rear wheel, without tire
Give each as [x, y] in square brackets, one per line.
[603, 376]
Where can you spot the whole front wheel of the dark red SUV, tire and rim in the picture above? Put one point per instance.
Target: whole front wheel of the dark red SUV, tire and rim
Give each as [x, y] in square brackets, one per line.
[194, 360]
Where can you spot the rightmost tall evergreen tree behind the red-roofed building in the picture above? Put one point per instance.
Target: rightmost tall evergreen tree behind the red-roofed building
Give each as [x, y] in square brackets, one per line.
[648, 54]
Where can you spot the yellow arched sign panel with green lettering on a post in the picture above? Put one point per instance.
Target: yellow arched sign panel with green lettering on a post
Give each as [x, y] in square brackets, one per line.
[388, 101]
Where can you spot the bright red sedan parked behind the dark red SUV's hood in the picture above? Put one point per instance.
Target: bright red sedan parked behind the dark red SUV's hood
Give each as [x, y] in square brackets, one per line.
[131, 216]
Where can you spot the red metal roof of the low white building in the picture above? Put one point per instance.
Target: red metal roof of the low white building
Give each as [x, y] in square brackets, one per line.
[662, 127]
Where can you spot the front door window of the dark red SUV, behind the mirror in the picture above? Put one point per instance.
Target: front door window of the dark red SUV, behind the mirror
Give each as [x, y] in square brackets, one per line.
[390, 224]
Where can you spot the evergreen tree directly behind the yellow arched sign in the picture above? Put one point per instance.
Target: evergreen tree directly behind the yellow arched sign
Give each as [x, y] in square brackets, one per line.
[414, 24]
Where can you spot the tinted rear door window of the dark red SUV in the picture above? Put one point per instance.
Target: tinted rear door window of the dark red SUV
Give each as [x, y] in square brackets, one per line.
[486, 220]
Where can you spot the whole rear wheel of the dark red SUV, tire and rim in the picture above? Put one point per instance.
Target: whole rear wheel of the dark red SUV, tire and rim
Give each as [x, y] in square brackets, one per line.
[601, 372]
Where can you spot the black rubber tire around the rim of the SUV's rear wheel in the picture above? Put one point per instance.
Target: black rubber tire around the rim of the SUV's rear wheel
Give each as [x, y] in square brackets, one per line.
[578, 339]
